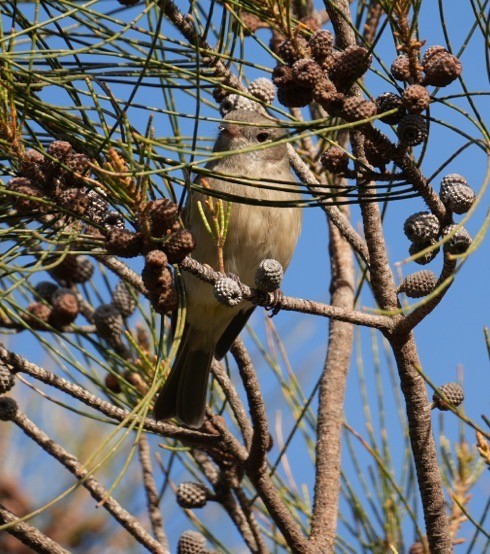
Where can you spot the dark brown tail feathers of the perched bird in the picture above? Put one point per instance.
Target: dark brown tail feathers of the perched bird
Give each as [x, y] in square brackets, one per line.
[185, 391]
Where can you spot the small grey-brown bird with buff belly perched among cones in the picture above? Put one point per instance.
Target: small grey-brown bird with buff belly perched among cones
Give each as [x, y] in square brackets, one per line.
[255, 232]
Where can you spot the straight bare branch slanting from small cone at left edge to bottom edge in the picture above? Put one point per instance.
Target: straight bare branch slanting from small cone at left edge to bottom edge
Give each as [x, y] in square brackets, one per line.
[96, 490]
